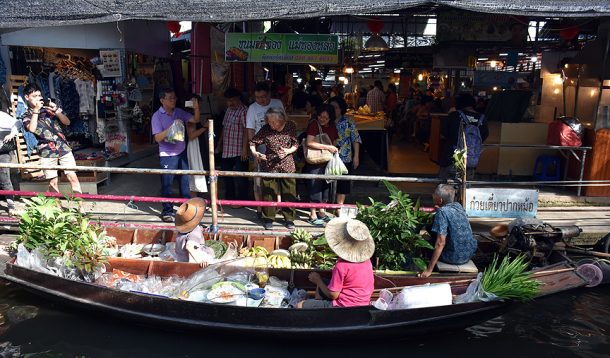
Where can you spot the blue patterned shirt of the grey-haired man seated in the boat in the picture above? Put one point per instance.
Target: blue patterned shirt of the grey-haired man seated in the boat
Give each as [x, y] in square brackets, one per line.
[451, 221]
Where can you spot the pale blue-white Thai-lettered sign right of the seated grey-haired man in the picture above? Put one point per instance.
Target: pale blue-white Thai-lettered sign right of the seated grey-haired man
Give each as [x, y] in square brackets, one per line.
[501, 203]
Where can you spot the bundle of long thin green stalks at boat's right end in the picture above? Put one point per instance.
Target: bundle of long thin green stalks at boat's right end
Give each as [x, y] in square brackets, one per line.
[509, 280]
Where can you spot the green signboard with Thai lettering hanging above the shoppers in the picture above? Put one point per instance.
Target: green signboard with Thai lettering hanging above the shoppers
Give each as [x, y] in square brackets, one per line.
[287, 48]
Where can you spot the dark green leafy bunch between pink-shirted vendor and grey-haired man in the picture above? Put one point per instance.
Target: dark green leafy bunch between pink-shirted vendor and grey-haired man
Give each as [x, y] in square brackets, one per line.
[395, 228]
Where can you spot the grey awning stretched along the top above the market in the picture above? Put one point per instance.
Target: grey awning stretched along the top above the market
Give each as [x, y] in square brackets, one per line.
[34, 13]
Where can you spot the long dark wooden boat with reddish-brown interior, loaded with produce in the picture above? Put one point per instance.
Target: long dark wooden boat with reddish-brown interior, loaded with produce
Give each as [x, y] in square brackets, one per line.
[366, 322]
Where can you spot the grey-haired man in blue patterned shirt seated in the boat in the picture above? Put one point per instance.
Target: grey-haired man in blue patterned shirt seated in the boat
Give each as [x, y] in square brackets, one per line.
[455, 243]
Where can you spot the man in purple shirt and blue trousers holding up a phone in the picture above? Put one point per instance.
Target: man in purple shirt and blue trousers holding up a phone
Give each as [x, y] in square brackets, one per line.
[172, 155]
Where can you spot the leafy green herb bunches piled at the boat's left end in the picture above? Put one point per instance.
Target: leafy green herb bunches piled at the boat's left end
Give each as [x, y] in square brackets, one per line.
[61, 232]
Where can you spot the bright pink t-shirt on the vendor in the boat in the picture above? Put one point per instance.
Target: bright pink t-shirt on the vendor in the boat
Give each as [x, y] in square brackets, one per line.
[355, 281]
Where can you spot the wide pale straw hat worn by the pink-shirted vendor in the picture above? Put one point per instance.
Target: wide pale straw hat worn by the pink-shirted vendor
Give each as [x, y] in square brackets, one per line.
[350, 239]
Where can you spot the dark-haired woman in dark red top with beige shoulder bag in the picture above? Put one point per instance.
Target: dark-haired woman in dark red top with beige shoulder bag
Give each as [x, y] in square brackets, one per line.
[319, 189]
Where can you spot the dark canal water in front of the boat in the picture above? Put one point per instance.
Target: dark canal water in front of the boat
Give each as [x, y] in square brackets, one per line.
[572, 324]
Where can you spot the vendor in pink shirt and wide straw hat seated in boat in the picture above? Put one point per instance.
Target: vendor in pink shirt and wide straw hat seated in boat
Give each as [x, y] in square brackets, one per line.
[352, 280]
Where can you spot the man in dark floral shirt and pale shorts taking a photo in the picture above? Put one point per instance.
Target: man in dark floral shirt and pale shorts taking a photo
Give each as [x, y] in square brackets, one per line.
[45, 121]
